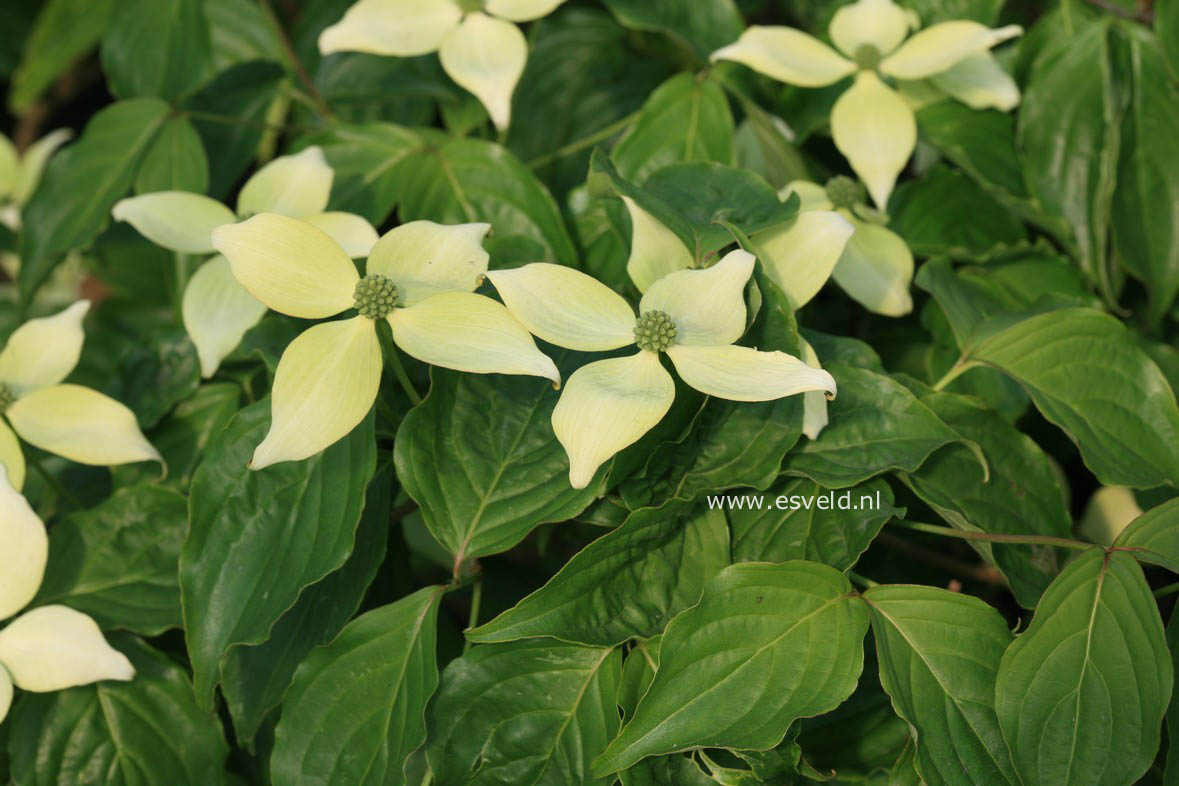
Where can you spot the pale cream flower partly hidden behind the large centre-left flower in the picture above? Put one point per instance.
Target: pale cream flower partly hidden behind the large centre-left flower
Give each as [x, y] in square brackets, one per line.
[216, 311]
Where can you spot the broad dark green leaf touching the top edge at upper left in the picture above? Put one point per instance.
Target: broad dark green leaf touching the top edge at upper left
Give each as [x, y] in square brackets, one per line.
[157, 48]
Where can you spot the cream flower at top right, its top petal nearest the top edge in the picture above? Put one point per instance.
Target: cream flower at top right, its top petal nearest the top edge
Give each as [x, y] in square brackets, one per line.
[872, 124]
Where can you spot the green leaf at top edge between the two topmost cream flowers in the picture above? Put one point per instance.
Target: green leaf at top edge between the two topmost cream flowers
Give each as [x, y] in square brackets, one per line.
[703, 28]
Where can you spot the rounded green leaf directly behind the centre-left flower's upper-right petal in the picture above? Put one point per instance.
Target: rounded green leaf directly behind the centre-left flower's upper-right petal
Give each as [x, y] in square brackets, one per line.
[462, 181]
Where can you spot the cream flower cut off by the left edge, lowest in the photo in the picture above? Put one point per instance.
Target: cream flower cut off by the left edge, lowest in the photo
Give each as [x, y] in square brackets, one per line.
[52, 648]
